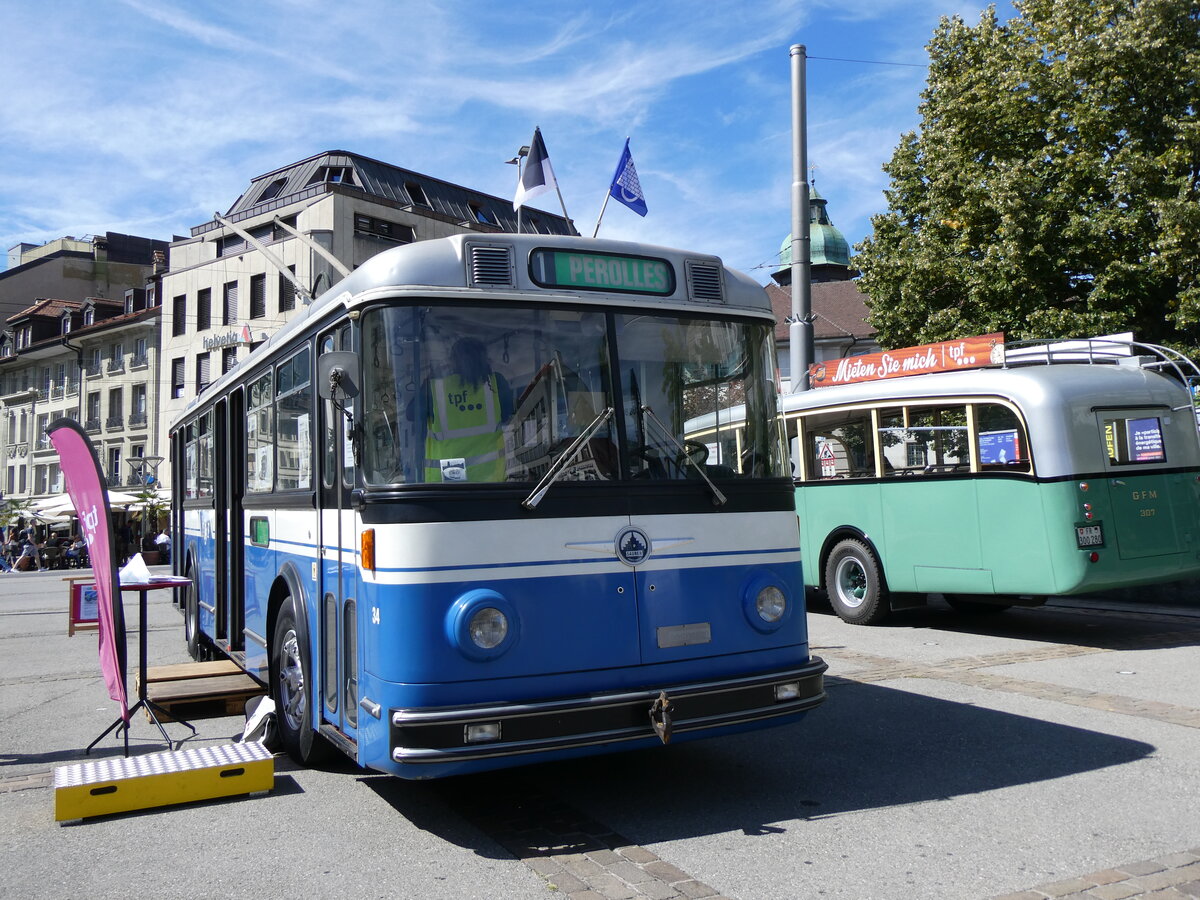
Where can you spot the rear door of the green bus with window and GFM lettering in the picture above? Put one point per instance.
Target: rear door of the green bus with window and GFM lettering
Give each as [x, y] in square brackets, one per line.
[1143, 517]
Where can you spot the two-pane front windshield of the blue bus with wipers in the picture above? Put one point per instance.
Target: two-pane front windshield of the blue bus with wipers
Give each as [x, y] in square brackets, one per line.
[487, 394]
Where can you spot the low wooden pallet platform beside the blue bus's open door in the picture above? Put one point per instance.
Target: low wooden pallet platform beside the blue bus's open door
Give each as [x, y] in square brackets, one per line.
[200, 691]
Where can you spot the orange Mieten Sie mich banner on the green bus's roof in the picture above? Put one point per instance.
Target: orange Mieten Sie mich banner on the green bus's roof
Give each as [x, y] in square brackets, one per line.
[944, 357]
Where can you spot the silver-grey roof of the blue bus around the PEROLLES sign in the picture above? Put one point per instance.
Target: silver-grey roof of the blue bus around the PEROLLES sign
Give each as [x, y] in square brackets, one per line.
[496, 266]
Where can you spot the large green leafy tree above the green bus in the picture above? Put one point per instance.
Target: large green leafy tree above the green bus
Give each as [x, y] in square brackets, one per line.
[1053, 189]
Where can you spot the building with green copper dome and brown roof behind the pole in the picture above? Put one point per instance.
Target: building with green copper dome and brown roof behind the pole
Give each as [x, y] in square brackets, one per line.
[841, 316]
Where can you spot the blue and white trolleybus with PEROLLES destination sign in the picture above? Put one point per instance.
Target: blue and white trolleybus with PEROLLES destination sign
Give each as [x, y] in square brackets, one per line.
[449, 517]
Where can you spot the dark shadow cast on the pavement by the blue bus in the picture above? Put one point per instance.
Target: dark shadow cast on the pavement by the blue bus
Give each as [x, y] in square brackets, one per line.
[868, 748]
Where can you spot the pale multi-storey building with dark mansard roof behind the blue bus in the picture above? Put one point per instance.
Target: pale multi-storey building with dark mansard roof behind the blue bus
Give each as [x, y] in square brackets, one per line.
[242, 277]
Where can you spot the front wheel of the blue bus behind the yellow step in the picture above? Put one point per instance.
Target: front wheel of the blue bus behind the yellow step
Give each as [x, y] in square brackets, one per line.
[292, 689]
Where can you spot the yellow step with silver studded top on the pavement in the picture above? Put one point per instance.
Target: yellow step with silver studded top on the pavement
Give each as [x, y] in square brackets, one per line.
[127, 784]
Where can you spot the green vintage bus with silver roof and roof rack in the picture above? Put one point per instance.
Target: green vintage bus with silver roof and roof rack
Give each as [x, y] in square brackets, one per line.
[1066, 469]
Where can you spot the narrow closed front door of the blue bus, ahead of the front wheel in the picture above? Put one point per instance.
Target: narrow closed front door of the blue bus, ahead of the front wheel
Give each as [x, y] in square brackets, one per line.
[338, 628]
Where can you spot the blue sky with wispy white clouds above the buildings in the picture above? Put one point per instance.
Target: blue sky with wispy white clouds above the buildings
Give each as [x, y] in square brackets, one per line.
[147, 116]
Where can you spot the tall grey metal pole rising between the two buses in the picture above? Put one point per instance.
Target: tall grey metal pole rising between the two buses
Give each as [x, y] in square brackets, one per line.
[800, 333]
